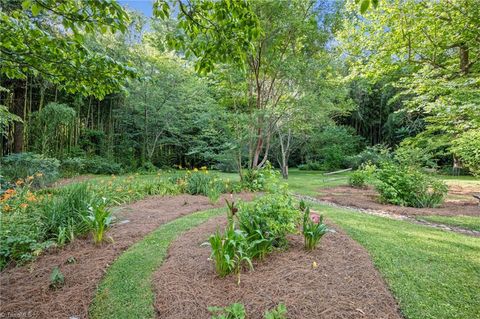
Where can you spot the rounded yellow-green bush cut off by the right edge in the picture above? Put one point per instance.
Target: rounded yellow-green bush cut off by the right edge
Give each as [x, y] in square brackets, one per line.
[467, 148]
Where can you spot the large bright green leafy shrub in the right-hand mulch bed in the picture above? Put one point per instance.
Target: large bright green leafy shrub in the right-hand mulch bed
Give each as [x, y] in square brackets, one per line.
[408, 186]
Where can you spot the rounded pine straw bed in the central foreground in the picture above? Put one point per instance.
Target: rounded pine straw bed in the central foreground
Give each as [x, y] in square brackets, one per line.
[345, 284]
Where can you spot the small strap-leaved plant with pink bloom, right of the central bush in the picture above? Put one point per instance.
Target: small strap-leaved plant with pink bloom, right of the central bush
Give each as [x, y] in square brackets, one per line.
[313, 227]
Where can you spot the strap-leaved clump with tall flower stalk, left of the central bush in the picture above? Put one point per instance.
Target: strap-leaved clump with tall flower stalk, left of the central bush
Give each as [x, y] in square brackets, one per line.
[230, 250]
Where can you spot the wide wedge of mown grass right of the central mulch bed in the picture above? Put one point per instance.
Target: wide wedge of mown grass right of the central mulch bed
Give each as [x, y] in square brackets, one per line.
[432, 273]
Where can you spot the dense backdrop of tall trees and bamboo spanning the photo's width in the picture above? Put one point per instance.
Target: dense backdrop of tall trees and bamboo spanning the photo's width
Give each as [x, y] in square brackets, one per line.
[237, 84]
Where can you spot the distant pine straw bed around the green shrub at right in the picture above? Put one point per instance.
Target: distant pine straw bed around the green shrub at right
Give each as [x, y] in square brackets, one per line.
[369, 199]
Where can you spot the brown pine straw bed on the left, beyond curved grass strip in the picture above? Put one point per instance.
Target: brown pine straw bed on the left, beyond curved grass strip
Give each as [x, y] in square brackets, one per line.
[25, 293]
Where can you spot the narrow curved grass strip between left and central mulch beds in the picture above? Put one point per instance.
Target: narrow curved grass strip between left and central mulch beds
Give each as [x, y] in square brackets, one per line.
[126, 290]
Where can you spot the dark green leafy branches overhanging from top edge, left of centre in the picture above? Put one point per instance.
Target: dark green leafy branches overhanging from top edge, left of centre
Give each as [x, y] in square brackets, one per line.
[204, 30]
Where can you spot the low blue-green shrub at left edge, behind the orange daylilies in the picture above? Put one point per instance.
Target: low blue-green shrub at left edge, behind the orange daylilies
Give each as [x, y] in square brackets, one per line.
[24, 165]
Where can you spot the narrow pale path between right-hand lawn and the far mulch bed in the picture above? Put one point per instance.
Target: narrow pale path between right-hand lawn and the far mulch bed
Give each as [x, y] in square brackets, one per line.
[393, 215]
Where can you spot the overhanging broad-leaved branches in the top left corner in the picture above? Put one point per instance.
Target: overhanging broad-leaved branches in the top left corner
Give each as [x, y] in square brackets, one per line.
[57, 51]
